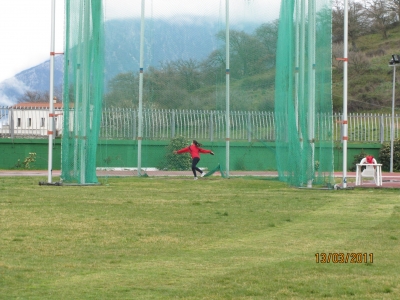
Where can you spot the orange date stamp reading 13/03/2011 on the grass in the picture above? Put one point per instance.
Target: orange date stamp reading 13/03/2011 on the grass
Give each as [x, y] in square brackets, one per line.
[344, 258]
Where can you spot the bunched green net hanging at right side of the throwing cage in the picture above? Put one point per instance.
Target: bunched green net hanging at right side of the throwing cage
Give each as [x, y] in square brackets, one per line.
[304, 145]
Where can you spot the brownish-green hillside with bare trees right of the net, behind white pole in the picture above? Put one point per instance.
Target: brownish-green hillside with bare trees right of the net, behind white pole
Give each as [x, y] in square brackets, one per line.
[374, 35]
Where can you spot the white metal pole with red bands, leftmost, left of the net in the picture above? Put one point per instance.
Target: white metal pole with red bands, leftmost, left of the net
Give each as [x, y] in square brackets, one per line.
[51, 105]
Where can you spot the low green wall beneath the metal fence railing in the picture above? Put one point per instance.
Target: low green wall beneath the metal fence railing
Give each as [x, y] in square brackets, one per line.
[243, 155]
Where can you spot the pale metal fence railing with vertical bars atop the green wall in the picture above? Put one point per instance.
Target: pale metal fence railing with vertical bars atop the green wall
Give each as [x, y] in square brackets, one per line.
[210, 125]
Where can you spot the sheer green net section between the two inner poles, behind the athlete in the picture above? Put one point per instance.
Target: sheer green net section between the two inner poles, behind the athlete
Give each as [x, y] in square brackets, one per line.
[184, 80]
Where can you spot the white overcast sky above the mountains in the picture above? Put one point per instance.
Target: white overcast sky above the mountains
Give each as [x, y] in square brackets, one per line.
[25, 25]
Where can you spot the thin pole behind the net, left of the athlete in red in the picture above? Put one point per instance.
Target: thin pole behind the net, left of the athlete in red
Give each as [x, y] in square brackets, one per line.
[140, 111]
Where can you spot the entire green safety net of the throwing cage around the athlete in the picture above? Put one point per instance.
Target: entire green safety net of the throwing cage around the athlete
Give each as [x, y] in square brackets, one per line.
[279, 93]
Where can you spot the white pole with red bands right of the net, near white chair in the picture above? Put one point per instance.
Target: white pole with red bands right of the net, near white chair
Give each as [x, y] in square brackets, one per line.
[344, 121]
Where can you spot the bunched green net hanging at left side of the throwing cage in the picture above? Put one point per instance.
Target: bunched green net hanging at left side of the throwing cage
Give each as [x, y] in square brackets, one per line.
[83, 89]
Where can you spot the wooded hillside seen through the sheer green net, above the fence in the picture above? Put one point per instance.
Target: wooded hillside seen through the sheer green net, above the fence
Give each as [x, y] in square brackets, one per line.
[200, 84]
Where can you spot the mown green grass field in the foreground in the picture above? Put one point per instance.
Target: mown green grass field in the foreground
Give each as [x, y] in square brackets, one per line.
[176, 238]
